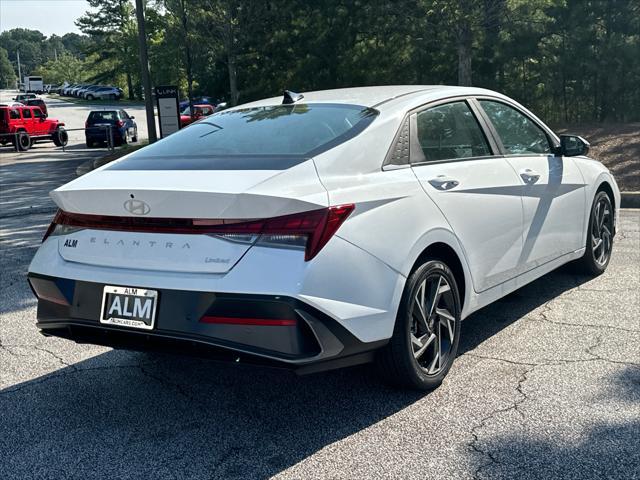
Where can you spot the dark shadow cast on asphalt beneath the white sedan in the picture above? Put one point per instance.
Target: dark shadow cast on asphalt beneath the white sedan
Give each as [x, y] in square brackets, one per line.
[126, 414]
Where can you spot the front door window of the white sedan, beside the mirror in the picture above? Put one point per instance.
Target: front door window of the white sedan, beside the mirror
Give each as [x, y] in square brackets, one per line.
[519, 134]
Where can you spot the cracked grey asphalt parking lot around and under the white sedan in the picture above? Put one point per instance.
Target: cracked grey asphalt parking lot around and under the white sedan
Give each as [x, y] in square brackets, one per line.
[547, 385]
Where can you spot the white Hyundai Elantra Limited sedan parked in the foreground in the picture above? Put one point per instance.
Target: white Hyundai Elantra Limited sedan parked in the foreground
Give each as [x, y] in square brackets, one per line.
[322, 230]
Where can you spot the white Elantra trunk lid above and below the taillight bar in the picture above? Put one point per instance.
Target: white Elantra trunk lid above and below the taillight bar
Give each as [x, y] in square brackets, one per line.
[141, 200]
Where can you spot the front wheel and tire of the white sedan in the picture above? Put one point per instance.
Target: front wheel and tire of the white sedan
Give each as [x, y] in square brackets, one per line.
[599, 236]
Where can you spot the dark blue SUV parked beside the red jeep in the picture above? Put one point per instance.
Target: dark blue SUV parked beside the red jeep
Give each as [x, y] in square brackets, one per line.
[101, 124]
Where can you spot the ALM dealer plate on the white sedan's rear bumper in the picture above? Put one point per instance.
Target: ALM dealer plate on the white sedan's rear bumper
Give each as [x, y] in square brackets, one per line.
[129, 307]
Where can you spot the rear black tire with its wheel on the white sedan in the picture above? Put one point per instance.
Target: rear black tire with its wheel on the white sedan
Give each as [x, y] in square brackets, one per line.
[401, 362]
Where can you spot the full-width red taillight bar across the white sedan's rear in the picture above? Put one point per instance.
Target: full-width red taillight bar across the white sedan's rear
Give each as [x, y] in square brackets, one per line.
[309, 230]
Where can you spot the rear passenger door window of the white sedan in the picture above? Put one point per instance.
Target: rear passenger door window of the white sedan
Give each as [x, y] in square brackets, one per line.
[449, 132]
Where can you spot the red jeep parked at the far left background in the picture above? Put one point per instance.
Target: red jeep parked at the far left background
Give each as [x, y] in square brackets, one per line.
[23, 126]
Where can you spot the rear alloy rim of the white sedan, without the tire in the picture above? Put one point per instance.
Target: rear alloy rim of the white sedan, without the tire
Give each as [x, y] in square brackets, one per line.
[433, 325]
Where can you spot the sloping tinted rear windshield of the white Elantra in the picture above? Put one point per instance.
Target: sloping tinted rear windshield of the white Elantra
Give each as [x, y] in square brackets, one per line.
[272, 137]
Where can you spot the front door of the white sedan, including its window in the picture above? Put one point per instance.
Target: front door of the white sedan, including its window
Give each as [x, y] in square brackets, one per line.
[552, 187]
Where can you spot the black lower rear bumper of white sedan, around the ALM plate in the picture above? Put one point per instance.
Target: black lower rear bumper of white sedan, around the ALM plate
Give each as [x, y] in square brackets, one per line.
[276, 330]
